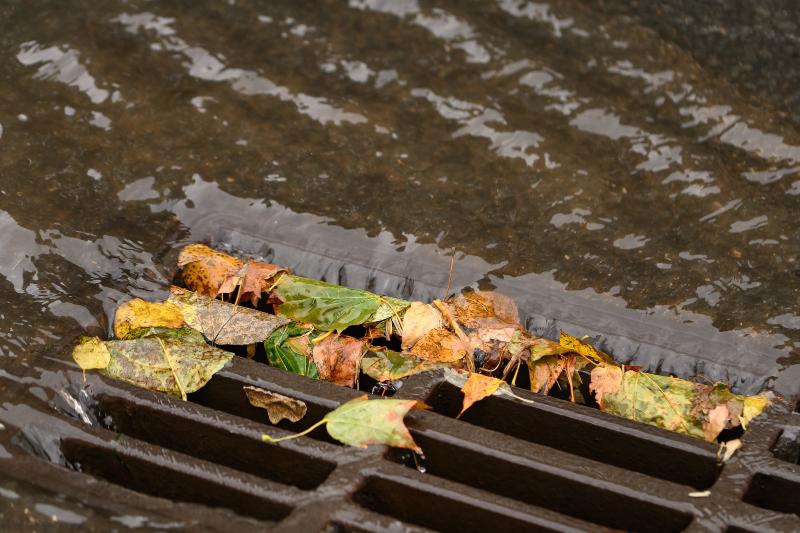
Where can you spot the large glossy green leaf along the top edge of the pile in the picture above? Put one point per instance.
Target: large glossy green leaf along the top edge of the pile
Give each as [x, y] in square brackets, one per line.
[332, 307]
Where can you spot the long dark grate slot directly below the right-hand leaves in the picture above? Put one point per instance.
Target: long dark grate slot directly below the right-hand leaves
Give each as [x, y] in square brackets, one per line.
[669, 457]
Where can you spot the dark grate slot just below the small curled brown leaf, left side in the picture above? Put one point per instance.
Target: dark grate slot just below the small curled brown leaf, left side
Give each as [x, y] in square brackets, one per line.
[223, 443]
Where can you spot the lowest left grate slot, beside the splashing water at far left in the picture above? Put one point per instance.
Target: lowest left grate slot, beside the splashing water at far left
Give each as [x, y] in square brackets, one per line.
[144, 474]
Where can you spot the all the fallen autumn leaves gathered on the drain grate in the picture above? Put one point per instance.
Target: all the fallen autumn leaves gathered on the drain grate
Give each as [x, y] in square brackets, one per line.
[324, 331]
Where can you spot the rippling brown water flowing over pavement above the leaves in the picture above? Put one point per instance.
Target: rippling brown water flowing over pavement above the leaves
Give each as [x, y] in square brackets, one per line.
[620, 171]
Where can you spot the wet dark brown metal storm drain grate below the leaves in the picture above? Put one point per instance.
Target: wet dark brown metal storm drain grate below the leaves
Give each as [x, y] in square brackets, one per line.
[547, 465]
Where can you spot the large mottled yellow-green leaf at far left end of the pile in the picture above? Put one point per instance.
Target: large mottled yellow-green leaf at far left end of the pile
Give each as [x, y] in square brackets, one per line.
[177, 365]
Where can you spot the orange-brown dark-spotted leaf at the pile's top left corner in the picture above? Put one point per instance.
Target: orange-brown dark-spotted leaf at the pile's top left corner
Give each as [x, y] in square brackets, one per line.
[207, 271]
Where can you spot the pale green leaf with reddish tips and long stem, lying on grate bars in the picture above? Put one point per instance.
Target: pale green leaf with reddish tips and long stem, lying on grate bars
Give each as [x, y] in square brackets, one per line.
[361, 422]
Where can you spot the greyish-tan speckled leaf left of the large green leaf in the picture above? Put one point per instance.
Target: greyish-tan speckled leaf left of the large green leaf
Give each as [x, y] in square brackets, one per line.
[224, 323]
